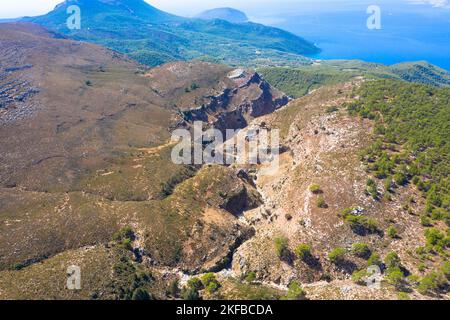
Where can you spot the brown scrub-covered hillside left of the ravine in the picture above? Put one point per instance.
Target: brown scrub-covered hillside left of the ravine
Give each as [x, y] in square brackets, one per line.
[92, 156]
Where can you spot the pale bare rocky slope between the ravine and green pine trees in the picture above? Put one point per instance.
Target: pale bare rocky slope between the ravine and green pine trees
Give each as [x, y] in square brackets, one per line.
[323, 150]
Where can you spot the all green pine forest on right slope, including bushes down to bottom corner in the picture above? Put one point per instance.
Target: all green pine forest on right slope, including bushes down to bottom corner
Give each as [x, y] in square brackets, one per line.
[411, 146]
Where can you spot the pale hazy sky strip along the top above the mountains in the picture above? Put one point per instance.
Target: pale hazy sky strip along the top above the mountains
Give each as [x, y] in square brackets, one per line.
[254, 8]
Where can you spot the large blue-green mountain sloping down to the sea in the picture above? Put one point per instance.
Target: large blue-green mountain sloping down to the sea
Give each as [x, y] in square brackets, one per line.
[153, 37]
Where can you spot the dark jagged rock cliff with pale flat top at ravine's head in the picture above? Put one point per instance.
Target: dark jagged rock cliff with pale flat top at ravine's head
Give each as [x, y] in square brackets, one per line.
[218, 95]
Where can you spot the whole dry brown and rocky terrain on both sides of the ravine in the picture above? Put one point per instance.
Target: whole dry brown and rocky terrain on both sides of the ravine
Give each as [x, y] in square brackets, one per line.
[92, 156]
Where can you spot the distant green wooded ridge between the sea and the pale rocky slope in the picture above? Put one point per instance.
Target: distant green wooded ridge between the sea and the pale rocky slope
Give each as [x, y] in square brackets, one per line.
[301, 80]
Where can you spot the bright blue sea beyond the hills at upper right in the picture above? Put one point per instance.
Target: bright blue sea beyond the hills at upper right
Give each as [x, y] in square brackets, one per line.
[409, 32]
